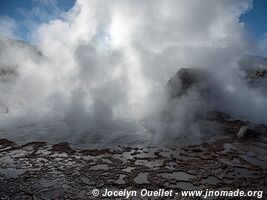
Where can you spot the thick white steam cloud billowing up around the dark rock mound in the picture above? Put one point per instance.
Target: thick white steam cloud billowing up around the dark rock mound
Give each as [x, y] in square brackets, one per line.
[105, 64]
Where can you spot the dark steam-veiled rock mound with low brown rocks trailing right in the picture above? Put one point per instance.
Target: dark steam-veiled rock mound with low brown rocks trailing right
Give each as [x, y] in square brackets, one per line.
[199, 81]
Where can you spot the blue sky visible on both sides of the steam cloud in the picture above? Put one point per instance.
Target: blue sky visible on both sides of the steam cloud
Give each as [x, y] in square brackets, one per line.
[37, 11]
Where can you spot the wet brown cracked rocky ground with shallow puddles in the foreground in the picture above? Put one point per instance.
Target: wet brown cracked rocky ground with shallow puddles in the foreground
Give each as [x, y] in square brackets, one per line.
[40, 171]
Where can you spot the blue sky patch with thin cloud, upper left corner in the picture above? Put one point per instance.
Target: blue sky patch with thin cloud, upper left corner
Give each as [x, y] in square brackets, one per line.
[29, 13]
